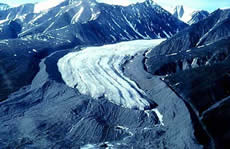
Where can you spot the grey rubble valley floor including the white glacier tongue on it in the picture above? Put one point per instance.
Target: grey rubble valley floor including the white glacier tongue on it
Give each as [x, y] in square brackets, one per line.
[106, 99]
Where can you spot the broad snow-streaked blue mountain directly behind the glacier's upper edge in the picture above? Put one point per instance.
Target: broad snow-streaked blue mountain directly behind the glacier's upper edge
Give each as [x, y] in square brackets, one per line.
[85, 21]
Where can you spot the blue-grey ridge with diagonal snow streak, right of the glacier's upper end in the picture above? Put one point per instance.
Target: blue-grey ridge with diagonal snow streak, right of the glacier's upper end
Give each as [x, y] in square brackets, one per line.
[211, 29]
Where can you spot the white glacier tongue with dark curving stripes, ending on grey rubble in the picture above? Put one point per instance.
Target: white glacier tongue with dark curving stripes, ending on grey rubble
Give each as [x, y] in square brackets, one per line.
[97, 72]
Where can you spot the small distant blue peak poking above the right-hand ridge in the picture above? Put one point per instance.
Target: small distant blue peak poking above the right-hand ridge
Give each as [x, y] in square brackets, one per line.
[198, 16]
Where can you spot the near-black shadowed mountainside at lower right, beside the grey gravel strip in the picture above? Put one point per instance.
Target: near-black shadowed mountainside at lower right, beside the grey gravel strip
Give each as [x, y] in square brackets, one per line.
[204, 85]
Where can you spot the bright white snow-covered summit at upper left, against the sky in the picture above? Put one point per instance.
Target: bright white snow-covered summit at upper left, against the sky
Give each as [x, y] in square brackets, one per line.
[43, 6]
